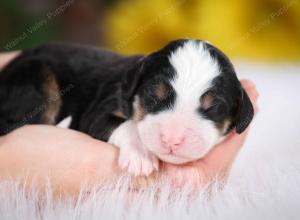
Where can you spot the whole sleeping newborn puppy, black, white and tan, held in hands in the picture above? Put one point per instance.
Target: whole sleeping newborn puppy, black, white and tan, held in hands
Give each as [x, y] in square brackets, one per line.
[174, 104]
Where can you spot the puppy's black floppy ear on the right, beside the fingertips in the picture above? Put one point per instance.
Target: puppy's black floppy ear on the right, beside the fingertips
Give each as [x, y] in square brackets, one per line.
[245, 114]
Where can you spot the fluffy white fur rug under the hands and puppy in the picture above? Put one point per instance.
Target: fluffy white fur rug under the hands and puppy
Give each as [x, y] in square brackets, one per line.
[264, 182]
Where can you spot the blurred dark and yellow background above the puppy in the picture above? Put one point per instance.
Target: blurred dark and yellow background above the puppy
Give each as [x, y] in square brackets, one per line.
[267, 30]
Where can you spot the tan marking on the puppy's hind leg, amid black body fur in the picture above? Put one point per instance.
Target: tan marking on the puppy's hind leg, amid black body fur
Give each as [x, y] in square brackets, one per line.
[51, 89]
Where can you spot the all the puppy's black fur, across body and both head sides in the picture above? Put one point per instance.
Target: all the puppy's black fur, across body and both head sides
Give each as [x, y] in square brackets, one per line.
[94, 84]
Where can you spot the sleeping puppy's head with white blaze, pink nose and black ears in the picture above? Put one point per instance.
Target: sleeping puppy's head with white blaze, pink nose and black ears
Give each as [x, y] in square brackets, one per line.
[185, 98]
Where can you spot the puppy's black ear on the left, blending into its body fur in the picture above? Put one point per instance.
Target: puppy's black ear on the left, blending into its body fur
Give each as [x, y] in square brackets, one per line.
[131, 80]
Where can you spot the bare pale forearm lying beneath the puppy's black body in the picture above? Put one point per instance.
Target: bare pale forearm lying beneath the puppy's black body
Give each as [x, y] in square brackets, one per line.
[84, 160]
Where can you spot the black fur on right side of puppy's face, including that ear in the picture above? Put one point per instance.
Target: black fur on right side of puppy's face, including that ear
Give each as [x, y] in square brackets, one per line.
[231, 101]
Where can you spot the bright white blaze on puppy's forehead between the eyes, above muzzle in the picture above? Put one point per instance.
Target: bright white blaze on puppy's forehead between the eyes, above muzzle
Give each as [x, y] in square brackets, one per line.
[195, 69]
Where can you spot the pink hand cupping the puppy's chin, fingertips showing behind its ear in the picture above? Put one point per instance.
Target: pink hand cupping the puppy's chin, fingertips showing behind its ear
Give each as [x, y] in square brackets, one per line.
[217, 163]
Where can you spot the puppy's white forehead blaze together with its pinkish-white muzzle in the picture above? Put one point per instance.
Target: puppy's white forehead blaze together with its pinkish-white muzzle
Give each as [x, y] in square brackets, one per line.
[194, 71]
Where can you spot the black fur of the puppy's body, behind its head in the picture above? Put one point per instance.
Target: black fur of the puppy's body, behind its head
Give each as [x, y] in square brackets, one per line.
[95, 76]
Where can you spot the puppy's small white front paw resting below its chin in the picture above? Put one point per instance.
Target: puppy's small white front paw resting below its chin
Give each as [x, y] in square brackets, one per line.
[137, 162]
